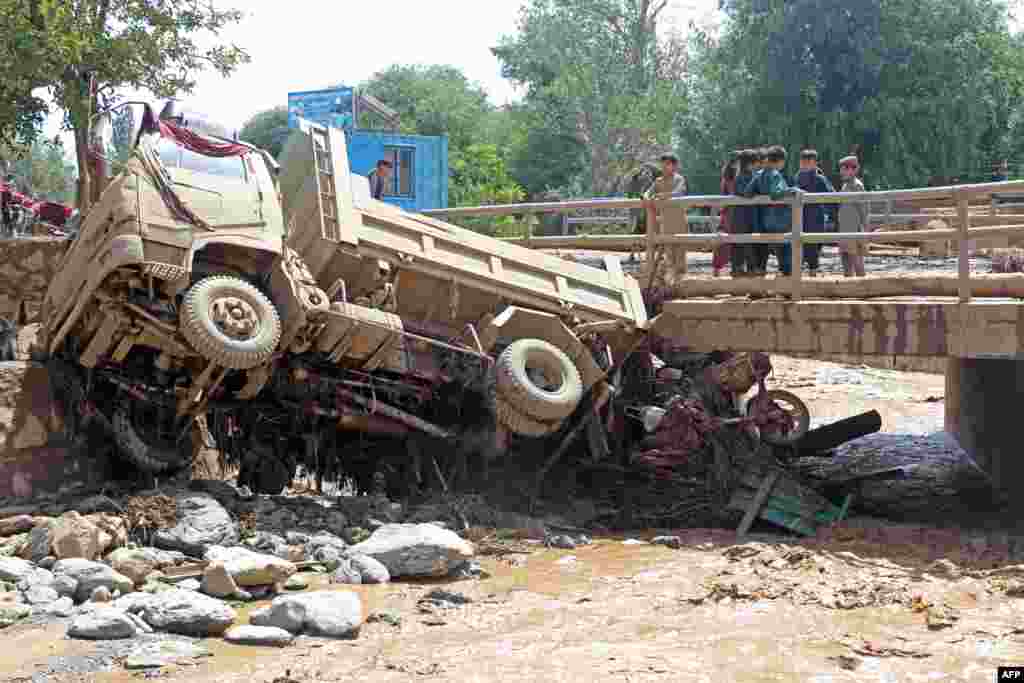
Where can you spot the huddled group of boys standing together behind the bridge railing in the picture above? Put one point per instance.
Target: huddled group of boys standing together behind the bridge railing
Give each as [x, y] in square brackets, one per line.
[753, 173]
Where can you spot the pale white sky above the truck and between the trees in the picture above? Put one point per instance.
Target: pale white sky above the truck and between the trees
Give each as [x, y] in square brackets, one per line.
[311, 45]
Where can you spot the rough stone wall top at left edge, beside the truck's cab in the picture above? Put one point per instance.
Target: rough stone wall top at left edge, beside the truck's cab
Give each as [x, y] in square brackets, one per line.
[27, 267]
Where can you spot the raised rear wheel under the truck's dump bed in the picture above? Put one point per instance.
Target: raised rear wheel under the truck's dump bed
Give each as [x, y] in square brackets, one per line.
[539, 380]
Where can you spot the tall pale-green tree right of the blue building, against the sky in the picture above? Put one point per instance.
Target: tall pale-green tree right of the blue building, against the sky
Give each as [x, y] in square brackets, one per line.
[603, 72]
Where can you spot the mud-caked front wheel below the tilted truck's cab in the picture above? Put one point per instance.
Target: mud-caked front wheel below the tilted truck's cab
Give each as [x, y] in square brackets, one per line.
[230, 322]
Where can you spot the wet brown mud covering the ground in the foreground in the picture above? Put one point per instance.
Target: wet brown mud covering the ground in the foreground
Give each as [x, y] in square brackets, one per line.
[710, 612]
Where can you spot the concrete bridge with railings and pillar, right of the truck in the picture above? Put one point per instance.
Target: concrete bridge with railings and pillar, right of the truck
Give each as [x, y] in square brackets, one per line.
[970, 324]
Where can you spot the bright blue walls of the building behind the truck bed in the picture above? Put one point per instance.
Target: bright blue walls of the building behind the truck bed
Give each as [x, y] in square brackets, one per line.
[431, 168]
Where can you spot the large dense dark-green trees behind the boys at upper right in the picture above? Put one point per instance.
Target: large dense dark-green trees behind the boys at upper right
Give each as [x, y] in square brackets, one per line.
[919, 90]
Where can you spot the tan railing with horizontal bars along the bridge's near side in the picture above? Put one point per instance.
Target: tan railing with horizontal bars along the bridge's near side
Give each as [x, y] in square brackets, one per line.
[669, 234]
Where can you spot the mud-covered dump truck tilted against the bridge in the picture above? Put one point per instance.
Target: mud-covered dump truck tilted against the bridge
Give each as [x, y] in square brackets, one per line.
[308, 324]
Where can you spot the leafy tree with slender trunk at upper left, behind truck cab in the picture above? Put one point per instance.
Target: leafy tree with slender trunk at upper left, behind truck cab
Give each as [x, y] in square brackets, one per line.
[92, 50]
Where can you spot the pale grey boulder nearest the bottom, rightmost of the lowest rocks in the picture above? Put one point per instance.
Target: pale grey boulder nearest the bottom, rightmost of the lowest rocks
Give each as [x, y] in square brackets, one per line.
[325, 614]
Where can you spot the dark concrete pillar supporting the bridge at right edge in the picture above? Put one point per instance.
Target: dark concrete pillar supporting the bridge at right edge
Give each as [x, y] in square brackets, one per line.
[984, 414]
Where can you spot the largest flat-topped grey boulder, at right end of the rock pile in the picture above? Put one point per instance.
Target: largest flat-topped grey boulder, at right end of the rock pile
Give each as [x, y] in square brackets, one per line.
[416, 550]
